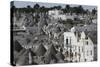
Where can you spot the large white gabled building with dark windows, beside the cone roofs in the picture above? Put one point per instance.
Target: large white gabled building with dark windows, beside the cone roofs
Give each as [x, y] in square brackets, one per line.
[78, 46]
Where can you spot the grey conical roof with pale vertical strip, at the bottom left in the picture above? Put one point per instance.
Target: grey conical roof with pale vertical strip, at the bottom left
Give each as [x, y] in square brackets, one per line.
[24, 59]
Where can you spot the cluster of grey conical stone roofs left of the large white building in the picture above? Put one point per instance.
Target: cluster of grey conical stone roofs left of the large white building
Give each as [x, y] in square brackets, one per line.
[41, 55]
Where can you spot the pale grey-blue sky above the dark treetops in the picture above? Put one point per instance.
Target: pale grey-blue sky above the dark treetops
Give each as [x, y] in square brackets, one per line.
[21, 4]
